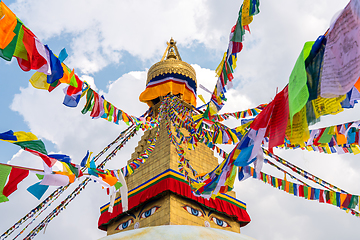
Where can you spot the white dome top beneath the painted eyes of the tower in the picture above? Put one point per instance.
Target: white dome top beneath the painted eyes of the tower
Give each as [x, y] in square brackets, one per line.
[175, 232]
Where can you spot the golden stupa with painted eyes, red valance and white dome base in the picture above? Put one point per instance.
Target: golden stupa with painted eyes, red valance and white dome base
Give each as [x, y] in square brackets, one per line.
[161, 203]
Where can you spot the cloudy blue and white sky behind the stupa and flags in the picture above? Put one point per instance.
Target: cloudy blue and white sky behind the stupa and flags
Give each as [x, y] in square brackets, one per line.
[112, 44]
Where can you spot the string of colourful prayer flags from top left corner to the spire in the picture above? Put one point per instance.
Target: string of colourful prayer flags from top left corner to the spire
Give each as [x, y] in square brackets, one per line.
[17, 40]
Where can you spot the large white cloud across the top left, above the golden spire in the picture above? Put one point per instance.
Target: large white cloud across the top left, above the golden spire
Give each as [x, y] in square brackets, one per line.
[99, 31]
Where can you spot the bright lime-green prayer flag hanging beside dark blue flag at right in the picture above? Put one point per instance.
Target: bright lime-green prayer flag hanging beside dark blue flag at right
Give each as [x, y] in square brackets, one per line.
[298, 91]
